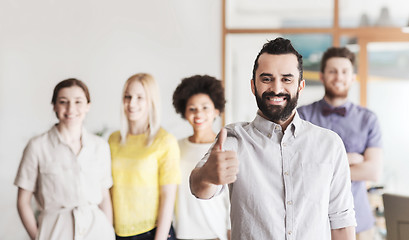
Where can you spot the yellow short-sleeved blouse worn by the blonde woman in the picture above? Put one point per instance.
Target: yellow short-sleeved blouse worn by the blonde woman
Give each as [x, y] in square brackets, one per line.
[138, 171]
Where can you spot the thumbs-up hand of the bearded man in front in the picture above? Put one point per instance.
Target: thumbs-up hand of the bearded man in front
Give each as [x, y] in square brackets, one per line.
[221, 166]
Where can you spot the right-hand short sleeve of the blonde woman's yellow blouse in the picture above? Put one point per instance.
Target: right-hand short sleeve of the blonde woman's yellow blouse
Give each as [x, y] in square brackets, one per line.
[169, 168]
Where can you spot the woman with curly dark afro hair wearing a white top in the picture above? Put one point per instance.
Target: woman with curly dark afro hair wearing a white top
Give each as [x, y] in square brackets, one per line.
[199, 100]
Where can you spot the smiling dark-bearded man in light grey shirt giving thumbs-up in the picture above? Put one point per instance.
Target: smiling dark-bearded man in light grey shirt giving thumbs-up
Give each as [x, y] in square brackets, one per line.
[288, 179]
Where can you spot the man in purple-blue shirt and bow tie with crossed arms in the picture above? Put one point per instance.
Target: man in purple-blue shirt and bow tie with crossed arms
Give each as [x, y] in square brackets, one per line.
[357, 126]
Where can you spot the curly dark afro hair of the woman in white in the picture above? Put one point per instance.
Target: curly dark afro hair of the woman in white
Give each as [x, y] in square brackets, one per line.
[198, 84]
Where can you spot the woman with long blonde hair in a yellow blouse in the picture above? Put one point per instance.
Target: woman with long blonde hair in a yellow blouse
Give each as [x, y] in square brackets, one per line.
[145, 165]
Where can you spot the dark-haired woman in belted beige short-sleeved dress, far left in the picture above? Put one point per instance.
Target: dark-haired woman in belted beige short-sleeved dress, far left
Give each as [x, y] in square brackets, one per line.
[68, 170]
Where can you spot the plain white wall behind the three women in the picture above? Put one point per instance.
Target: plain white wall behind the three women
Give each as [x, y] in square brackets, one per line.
[101, 42]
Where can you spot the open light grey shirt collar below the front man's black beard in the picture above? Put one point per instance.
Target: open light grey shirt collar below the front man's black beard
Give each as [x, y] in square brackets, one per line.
[267, 127]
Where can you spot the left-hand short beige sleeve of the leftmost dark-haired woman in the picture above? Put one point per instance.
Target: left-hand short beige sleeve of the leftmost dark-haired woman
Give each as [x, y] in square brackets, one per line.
[27, 172]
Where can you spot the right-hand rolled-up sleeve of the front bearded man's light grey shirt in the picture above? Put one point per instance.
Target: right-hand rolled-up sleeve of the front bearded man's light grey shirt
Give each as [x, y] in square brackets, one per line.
[341, 207]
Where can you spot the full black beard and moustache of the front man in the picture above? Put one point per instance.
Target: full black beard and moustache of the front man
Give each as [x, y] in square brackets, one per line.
[273, 112]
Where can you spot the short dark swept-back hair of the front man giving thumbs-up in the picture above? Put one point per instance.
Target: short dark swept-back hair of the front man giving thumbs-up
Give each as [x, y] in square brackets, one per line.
[279, 46]
